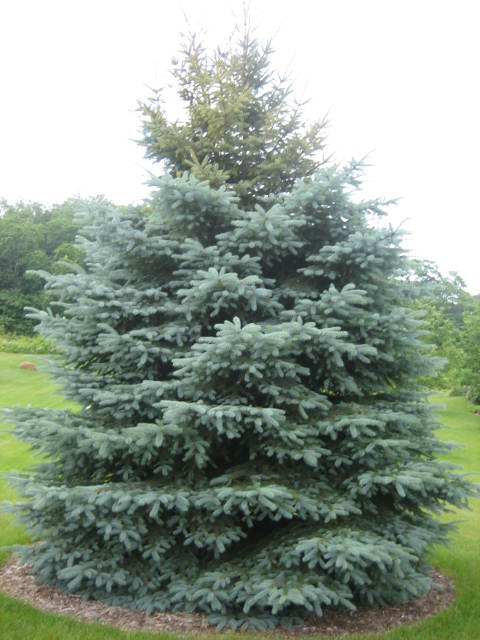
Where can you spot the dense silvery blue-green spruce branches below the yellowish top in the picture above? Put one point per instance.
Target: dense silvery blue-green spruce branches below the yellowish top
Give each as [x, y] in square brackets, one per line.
[251, 442]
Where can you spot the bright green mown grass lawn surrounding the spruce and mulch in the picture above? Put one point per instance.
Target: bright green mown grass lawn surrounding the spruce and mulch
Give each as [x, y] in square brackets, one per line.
[461, 559]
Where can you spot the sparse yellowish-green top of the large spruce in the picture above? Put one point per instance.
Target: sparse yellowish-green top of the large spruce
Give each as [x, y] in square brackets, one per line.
[241, 125]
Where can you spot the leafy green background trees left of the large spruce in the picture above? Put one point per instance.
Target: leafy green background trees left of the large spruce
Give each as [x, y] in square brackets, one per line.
[31, 237]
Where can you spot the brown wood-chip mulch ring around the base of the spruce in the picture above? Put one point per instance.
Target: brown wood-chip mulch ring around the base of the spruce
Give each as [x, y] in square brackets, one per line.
[17, 581]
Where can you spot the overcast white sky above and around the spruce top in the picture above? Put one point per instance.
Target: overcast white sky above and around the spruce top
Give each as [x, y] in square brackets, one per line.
[399, 80]
